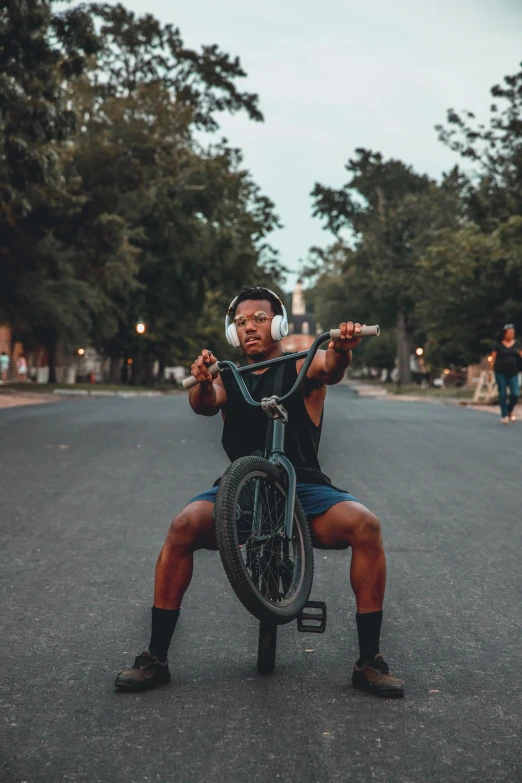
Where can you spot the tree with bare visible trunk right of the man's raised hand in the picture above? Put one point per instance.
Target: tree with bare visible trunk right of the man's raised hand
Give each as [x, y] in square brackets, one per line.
[392, 213]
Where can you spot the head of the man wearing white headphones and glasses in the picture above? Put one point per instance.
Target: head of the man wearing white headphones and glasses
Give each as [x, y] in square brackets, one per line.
[252, 314]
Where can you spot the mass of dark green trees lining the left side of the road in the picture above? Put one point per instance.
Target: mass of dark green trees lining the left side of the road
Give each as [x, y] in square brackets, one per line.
[110, 207]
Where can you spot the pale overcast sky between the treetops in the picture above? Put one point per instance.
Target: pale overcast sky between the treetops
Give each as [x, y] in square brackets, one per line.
[333, 75]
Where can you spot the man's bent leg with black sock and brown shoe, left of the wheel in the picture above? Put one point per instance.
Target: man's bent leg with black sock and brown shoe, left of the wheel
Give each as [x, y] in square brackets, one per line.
[191, 530]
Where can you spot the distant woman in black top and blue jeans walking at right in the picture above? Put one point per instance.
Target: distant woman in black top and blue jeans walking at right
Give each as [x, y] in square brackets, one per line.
[505, 362]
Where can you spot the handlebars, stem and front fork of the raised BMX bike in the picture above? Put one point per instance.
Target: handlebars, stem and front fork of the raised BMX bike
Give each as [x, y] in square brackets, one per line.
[273, 408]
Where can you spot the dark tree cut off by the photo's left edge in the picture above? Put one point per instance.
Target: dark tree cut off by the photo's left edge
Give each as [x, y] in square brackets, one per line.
[39, 51]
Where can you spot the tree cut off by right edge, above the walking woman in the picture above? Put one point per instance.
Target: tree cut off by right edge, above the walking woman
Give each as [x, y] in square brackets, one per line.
[473, 273]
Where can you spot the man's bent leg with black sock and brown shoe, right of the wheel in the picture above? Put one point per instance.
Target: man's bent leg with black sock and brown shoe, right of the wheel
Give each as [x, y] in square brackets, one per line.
[350, 523]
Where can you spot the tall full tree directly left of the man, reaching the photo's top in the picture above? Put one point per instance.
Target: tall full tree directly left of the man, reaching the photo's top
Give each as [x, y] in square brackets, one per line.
[196, 218]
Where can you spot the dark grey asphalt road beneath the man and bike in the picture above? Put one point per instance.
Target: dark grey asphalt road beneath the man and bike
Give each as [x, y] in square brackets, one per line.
[87, 490]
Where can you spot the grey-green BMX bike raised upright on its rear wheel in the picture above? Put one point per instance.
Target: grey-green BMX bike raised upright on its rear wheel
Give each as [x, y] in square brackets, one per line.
[263, 536]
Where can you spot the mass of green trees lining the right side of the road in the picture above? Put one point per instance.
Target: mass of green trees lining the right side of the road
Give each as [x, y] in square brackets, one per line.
[439, 261]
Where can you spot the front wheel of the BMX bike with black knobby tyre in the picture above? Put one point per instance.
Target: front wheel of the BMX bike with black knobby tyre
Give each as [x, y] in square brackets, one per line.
[270, 573]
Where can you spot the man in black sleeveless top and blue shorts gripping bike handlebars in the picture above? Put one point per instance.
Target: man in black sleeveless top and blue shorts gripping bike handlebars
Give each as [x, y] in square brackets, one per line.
[256, 322]
